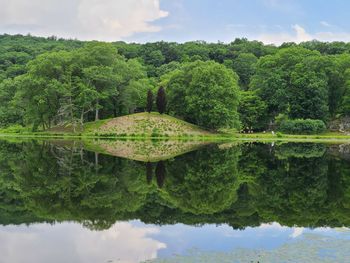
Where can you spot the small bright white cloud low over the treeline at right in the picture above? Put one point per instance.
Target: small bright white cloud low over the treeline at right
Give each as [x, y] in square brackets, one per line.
[299, 34]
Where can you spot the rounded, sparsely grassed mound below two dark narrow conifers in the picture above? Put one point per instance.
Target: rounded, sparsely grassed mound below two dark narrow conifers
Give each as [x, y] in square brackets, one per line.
[145, 124]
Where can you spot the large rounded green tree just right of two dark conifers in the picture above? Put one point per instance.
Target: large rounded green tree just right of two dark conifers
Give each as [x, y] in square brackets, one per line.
[205, 93]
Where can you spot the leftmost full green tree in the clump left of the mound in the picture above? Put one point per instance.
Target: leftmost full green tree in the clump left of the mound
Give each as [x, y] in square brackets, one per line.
[42, 87]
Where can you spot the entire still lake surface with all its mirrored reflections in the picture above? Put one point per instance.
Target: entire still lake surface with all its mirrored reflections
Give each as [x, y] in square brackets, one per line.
[166, 201]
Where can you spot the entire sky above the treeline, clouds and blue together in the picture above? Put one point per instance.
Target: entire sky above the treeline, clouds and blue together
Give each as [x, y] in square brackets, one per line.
[270, 21]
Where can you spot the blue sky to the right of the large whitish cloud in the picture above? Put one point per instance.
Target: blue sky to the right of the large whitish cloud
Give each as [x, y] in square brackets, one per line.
[267, 20]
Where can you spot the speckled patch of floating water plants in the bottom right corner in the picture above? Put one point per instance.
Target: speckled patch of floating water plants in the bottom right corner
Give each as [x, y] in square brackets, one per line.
[311, 248]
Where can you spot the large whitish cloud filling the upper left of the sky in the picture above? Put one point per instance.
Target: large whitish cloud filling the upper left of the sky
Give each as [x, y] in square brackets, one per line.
[106, 20]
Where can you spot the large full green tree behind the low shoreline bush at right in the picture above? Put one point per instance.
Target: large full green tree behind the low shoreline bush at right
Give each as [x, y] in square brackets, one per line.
[295, 82]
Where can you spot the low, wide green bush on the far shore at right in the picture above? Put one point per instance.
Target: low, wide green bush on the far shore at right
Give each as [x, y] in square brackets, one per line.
[301, 126]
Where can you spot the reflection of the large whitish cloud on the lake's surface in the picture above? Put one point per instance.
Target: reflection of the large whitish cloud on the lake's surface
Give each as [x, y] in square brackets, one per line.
[69, 242]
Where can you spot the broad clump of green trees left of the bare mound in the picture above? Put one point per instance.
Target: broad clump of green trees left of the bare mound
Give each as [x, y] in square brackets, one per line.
[65, 86]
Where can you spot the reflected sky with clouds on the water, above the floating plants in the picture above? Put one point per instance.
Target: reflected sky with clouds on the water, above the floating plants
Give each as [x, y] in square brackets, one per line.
[133, 241]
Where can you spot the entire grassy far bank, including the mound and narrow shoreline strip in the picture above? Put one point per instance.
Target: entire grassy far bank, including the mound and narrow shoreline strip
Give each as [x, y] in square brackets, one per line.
[153, 125]
